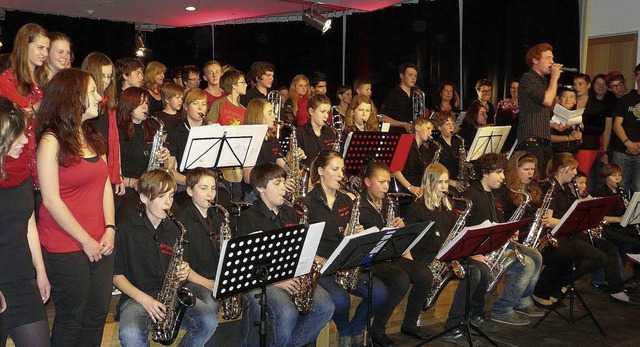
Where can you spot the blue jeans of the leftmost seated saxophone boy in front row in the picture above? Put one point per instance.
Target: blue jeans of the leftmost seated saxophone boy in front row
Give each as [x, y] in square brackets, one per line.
[135, 324]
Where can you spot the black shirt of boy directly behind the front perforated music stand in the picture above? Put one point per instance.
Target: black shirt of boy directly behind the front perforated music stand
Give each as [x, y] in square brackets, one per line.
[259, 217]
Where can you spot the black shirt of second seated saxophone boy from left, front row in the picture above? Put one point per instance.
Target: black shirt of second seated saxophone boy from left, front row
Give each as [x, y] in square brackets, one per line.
[203, 236]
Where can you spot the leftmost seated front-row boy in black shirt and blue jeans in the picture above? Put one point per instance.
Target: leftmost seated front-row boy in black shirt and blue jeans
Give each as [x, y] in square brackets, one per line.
[144, 248]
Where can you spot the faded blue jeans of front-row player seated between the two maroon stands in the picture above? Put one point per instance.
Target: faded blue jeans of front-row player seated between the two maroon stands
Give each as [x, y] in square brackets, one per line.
[520, 282]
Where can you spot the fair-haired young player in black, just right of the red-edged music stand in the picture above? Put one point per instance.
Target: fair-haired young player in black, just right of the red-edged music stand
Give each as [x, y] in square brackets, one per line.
[421, 154]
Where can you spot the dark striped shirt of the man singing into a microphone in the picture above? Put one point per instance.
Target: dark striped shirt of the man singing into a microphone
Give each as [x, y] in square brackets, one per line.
[534, 116]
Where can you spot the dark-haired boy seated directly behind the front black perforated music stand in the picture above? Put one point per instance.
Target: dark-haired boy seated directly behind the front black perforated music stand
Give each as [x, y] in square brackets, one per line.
[270, 212]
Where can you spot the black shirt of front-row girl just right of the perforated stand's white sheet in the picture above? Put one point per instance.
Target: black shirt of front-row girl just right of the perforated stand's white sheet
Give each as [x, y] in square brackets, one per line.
[336, 218]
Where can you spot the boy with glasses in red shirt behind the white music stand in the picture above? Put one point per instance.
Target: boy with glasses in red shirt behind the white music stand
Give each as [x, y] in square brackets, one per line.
[229, 111]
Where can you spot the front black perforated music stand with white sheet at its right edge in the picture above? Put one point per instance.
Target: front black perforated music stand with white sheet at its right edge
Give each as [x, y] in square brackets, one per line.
[262, 258]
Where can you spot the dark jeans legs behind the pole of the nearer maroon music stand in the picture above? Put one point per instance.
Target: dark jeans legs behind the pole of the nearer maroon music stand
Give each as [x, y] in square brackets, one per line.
[478, 275]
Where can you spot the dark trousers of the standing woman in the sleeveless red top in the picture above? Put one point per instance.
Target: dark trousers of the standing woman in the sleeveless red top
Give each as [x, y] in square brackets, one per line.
[81, 290]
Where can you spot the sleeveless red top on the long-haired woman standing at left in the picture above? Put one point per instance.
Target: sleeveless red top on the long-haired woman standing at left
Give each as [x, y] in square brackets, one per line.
[82, 190]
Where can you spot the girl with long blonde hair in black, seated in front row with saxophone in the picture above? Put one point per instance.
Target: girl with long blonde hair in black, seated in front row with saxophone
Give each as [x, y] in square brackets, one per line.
[434, 205]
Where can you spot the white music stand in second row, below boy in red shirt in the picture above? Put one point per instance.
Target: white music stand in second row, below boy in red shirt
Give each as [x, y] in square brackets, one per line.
[216, 146]
